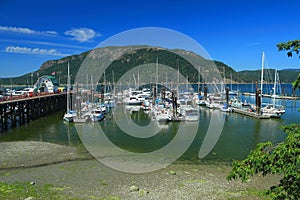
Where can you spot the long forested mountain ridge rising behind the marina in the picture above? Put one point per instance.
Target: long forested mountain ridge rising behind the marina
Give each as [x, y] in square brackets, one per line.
[123, 58]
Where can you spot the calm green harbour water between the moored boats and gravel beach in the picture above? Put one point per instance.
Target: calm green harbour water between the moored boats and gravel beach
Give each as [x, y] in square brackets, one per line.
[240, 134]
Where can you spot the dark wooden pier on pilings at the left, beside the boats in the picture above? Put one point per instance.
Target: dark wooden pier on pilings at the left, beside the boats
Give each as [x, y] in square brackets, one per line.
[21, 111]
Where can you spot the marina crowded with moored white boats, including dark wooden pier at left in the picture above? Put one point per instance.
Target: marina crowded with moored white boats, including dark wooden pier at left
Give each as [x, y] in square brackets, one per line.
[22, 110]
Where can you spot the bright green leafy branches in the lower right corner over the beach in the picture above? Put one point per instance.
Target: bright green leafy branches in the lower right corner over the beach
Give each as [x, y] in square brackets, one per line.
[267, 158]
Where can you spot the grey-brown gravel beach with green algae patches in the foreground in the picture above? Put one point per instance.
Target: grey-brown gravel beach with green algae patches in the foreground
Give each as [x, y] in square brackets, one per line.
[81, 177]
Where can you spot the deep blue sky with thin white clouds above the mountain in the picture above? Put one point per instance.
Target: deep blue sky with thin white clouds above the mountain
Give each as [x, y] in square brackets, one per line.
[234, 32]
